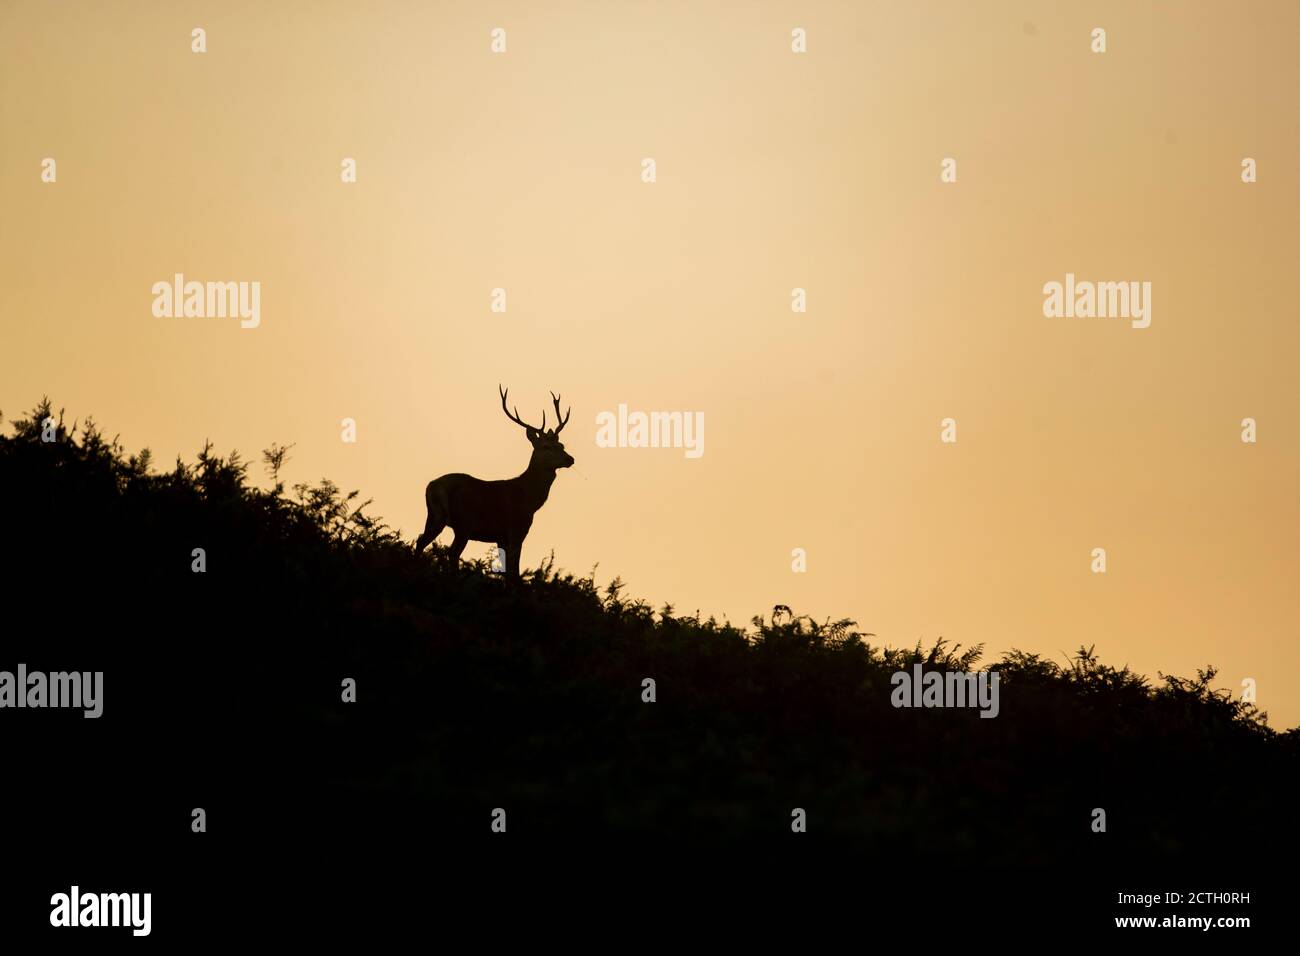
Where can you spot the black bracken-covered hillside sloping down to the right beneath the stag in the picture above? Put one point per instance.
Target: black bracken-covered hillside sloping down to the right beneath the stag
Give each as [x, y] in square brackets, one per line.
[480, 700]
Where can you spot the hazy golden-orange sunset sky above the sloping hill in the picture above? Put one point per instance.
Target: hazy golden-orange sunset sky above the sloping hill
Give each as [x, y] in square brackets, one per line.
[775, 171]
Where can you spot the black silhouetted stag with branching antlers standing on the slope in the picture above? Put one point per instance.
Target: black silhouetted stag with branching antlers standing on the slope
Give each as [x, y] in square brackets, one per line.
[502, 512]
